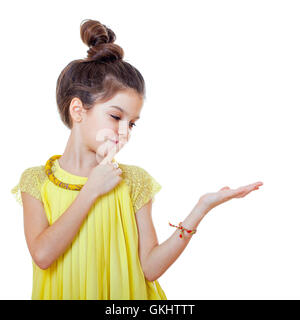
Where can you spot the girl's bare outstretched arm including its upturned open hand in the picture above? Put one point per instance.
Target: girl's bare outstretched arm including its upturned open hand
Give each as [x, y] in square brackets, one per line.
[157, 258]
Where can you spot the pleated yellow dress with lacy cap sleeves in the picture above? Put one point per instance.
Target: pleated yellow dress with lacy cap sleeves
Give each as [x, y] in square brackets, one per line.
[102, 262]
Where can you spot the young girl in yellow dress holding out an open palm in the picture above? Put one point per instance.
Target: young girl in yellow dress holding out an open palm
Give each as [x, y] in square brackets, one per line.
[87, 218]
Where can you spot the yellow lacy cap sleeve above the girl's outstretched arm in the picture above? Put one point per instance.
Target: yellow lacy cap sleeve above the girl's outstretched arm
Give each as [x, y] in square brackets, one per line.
[143, 186]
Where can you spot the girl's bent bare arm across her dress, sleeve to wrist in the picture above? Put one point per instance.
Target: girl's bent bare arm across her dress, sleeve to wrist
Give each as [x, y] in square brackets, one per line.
[46, 243]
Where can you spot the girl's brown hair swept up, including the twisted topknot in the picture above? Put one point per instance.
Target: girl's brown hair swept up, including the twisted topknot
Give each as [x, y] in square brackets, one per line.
[99, 76]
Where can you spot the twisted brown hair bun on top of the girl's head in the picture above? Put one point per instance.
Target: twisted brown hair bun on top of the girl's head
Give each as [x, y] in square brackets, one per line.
[99, 39]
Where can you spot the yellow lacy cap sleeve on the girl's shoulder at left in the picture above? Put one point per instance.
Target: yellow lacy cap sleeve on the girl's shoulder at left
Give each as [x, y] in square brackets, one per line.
[30, 181]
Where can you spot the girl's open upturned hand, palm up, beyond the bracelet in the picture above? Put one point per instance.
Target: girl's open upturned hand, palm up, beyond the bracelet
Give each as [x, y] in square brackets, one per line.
[210, 200]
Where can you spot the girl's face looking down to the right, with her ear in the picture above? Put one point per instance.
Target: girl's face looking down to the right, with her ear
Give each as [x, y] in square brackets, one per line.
[103, 126]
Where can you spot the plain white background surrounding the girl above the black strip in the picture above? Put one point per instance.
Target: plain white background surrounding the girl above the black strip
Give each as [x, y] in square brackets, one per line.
[222, 81]
